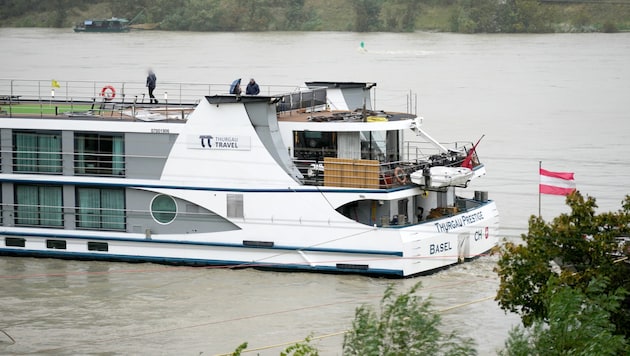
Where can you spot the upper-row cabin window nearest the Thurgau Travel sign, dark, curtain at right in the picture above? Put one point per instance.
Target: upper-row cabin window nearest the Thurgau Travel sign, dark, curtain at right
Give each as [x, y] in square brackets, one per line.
[99, 154]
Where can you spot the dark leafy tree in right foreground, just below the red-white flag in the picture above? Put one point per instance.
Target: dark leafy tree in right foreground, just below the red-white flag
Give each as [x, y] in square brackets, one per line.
[577, 247]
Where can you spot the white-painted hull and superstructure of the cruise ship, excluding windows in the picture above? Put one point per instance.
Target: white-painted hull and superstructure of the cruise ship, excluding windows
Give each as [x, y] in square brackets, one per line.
[223, 153]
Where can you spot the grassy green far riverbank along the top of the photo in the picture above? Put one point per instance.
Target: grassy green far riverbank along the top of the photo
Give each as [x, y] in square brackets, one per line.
[484, 16]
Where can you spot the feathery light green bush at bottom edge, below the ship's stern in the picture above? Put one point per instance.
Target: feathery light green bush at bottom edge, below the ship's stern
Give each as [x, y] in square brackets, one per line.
[405, 326]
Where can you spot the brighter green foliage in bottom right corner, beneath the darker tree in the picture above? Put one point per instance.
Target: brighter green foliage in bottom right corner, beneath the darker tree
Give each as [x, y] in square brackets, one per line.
[578, 323]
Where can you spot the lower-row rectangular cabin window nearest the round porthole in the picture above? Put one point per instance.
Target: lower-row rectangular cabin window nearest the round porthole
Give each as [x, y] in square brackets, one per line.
[101, 208]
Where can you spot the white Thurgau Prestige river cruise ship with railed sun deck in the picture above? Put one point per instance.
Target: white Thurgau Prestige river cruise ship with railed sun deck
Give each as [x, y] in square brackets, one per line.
[313, 180]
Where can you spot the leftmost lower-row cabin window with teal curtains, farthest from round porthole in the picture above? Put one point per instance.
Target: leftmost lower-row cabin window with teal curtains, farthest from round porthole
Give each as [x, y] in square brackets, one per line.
[38, 205]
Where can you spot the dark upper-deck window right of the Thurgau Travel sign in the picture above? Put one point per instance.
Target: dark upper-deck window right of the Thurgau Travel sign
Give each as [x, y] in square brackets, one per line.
[314, 145]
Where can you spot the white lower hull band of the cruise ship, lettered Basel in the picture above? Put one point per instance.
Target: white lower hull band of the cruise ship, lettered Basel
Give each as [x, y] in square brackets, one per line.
[320, 247]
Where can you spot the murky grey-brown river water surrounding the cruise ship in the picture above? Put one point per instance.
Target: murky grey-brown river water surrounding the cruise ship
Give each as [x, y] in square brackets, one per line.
[557, 98]
